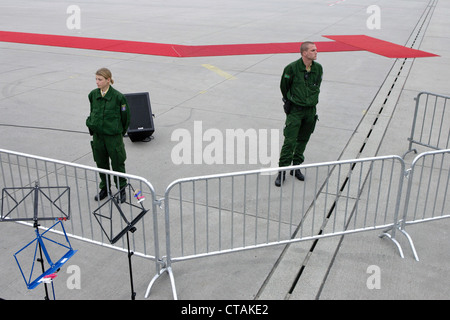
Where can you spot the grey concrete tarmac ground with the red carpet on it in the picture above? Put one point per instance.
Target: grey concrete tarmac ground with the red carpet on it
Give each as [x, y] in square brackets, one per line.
[43, 106]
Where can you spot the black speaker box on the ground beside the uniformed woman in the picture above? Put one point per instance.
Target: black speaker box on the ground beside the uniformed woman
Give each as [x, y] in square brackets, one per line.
[141, 123]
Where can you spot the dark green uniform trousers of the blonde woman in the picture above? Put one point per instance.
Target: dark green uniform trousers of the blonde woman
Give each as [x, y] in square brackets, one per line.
[106, 147]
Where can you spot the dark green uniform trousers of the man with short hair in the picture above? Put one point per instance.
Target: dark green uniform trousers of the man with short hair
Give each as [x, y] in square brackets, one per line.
[299, 126]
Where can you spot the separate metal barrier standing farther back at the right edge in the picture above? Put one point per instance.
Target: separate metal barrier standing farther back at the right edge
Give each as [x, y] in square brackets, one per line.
[431, 122]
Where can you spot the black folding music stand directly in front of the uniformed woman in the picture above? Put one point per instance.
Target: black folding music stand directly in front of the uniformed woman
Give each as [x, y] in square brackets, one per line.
[115, 230]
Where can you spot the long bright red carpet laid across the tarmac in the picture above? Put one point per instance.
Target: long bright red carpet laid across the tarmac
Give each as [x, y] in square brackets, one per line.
[183, 51]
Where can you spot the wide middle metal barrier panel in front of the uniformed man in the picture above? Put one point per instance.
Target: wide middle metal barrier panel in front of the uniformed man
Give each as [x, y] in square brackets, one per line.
[237, 211]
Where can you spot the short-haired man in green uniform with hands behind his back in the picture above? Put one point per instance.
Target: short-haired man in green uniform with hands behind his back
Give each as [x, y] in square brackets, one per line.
[300, 87]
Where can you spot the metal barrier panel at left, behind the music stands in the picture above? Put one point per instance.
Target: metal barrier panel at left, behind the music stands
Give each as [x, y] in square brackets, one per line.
[66, 192]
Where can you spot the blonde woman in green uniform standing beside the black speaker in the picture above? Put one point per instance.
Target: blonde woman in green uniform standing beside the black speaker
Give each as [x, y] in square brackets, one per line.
[108, 122]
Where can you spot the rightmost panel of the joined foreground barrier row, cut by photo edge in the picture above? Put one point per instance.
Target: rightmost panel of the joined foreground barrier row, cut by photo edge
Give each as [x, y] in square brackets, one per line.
[427, 194]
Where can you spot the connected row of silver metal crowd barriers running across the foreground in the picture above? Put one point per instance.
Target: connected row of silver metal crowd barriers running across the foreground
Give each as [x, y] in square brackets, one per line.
[223, 213]
